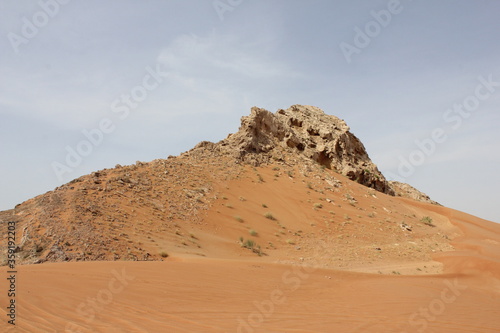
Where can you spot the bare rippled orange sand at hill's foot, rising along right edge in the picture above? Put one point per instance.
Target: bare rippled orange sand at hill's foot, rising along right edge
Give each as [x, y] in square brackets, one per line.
[188, 294]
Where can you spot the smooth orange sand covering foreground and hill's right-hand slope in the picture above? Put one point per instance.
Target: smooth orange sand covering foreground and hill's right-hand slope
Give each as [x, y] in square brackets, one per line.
[296, 287]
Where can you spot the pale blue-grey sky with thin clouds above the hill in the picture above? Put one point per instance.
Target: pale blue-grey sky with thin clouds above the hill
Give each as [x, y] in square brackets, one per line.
[86, 85]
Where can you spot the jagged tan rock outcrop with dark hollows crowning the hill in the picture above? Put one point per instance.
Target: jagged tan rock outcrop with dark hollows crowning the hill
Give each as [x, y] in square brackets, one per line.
[306, 131]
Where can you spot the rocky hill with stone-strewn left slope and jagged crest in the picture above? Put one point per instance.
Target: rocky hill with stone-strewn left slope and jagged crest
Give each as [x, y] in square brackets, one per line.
[138, 212]
